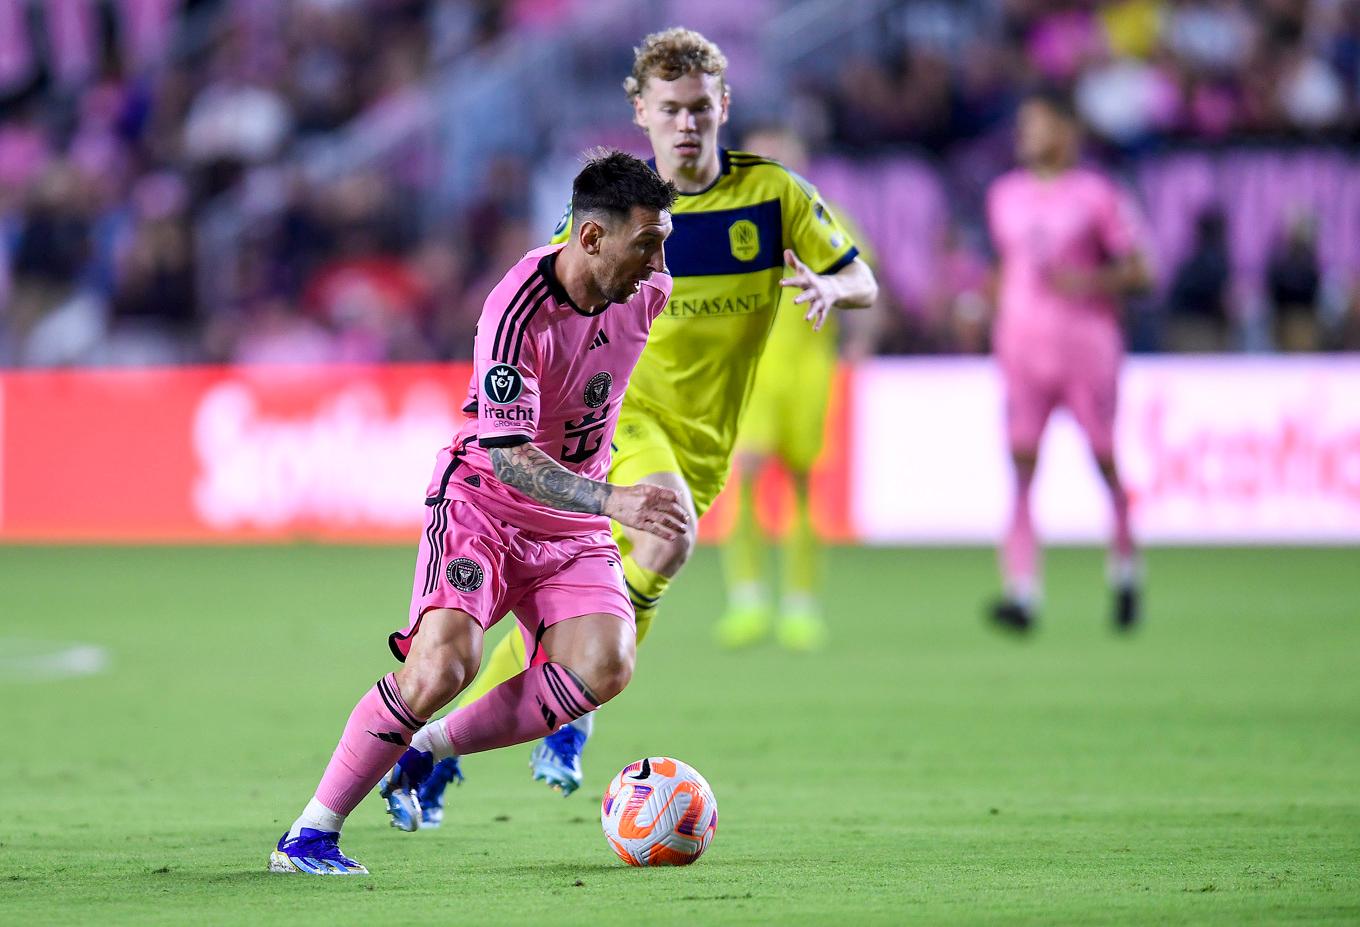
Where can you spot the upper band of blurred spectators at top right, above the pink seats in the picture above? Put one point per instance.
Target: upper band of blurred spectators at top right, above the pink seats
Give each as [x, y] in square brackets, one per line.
[1140, 71]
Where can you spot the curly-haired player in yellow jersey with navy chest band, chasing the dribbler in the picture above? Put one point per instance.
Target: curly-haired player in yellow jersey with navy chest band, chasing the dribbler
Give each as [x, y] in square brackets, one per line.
[741, 220]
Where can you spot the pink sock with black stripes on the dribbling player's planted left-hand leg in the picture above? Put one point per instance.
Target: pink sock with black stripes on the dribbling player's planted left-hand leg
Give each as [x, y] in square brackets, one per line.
[379, 731]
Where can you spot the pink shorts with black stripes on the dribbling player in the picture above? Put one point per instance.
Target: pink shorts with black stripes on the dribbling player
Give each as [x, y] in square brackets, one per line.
[474, 562]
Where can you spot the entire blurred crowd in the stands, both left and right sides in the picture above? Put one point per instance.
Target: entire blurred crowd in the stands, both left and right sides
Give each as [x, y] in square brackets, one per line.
[124, 122]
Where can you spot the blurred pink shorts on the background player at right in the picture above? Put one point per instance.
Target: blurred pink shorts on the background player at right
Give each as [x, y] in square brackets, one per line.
[1091, 395]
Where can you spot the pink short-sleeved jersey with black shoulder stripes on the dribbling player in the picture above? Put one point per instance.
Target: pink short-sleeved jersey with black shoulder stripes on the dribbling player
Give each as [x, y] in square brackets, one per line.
[547, 373]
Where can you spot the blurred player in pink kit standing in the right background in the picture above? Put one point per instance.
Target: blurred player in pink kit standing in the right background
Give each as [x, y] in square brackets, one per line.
[1071, 249]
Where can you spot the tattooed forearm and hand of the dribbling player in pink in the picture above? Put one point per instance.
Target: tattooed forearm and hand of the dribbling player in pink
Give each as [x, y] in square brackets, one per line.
[537, 475]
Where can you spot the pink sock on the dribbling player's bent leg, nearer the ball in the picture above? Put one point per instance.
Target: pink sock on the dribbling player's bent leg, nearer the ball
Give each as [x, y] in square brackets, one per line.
[534, 705]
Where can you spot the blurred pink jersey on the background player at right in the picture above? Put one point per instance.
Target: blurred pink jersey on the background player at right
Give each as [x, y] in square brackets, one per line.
[1076, 221]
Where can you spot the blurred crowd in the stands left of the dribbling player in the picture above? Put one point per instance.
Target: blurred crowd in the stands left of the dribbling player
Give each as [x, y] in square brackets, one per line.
[122, 120]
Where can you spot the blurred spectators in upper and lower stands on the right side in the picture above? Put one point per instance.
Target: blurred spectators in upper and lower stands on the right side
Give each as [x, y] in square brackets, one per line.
[945, 77]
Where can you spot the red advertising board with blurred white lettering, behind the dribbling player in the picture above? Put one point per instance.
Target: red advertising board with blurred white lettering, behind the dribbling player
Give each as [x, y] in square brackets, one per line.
[250, 455]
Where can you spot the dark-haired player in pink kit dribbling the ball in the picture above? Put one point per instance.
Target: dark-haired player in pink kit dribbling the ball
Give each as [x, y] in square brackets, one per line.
[517, 514]
